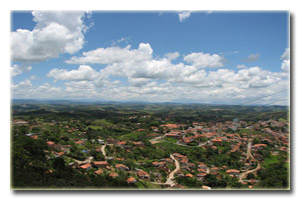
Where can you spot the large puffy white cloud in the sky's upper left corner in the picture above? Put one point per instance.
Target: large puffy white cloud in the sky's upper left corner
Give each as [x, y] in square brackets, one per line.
[56, 32]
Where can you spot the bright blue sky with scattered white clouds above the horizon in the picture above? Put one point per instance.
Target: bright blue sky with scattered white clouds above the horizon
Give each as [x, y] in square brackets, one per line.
[185, 56]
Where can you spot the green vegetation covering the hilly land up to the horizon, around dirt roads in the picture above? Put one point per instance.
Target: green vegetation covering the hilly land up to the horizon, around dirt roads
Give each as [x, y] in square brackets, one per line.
[51, 148]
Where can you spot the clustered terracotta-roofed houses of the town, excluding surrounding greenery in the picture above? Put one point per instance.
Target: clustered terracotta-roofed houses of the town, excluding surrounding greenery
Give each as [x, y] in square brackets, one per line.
[272, 135]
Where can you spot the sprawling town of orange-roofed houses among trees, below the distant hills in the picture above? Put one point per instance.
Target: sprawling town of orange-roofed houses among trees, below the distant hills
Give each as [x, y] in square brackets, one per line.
[151, 151]
